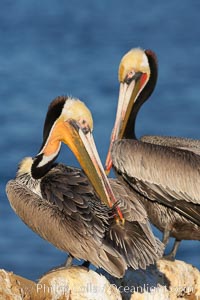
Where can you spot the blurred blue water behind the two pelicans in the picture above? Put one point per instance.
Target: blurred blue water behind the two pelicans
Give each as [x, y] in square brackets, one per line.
[50, 48]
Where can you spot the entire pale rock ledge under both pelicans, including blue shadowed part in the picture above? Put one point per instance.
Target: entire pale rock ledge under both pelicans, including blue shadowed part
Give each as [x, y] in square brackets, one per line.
[166, 281]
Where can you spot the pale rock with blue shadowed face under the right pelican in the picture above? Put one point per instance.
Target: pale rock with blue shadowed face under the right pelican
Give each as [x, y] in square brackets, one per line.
[165, 280]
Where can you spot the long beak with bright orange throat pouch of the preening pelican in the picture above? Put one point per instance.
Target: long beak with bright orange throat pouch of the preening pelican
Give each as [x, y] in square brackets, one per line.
[83, 146]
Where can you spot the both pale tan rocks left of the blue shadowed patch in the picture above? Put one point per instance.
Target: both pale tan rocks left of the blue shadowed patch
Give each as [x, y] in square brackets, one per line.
[61, 284]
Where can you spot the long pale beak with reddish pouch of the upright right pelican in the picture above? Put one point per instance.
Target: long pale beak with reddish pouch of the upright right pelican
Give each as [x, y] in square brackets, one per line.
[128, 94]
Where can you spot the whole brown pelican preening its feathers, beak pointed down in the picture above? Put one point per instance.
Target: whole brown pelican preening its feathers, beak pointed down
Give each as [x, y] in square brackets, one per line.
[76, 210]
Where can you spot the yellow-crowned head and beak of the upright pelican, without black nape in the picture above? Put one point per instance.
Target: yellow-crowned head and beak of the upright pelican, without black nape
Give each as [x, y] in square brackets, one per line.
[134, 73]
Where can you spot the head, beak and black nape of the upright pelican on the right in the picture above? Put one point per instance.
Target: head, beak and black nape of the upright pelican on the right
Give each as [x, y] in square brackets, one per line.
[135, 74]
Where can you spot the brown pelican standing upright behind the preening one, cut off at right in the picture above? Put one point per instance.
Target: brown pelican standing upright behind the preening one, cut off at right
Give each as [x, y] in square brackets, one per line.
[165, 171]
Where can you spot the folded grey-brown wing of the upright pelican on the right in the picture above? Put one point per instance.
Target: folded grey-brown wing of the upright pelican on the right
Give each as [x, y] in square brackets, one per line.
[168, 175]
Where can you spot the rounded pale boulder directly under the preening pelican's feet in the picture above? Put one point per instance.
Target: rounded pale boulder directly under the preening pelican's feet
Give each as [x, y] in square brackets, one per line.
[77, 283]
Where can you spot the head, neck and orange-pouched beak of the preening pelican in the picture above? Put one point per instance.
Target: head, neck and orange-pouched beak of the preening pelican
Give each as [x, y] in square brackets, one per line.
[68, 120]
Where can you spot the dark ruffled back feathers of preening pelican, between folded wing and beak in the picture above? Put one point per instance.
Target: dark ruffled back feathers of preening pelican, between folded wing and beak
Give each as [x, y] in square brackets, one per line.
[69, 189]
